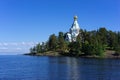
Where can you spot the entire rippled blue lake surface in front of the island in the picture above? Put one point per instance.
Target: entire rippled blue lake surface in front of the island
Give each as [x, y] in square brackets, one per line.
[19, 67]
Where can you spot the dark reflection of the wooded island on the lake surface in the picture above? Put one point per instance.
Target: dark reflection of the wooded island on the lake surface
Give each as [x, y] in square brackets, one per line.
[70, 68]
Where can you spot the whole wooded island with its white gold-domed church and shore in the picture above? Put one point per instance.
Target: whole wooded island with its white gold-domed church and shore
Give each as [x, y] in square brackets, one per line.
[100, 43]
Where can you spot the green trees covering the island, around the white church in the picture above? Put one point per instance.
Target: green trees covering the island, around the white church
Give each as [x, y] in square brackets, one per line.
[94, 42]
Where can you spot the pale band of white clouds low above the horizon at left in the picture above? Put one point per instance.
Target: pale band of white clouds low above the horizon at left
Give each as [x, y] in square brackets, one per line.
[16, 46]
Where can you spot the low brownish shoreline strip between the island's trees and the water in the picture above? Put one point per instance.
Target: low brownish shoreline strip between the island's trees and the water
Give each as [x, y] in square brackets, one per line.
[108, 54]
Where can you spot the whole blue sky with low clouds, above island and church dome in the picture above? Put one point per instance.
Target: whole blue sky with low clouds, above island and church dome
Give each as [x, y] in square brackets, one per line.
[24, 23]
